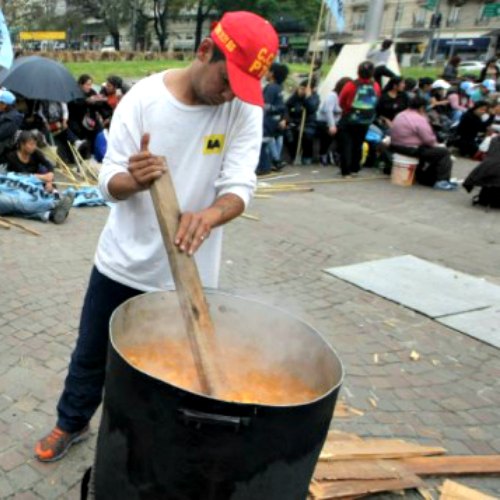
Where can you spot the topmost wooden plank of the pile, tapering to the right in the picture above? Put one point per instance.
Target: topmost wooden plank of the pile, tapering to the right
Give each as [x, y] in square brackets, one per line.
[376, 448]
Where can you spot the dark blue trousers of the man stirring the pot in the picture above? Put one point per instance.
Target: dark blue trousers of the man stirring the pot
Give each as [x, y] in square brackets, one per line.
[85, 380]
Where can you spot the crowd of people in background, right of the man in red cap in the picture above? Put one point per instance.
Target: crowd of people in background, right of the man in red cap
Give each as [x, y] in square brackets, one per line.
[361, 122]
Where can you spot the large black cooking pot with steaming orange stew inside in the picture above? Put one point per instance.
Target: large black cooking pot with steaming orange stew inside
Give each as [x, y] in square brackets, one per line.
[158, 441]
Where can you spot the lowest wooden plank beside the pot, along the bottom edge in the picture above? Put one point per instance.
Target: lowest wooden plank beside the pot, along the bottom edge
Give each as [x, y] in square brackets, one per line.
[355, 488]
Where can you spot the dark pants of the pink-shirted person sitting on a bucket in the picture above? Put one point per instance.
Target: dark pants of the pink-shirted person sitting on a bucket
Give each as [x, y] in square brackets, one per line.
[435, 162]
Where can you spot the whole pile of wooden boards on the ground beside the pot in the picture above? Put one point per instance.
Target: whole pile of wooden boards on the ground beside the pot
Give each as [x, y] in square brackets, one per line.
[352, 467]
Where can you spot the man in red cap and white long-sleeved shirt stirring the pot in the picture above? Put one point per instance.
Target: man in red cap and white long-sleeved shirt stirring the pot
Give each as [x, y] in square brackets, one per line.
[203, 123]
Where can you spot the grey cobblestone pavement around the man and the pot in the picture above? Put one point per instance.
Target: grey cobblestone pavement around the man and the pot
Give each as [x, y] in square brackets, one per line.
[450, 397]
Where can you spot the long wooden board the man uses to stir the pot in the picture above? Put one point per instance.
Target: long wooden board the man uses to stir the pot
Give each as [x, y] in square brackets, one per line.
[199, 326]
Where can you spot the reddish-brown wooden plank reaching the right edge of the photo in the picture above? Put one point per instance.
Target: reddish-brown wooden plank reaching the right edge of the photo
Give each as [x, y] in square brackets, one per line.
[453, 465]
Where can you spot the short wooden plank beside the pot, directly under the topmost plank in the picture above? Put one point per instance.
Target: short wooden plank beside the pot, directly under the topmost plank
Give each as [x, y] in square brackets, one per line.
[359, 469]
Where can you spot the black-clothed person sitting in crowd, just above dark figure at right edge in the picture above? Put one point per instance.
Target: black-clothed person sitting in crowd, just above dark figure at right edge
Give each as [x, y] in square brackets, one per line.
[473, 125]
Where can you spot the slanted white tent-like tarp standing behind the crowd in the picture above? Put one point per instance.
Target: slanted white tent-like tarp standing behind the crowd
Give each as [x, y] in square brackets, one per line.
[347, 62]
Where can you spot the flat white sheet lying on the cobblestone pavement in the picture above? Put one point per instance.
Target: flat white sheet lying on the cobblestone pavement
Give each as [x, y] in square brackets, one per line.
[465, 303]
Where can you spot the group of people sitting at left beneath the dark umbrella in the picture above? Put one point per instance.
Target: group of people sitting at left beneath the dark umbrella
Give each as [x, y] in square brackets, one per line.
[79, 127]
